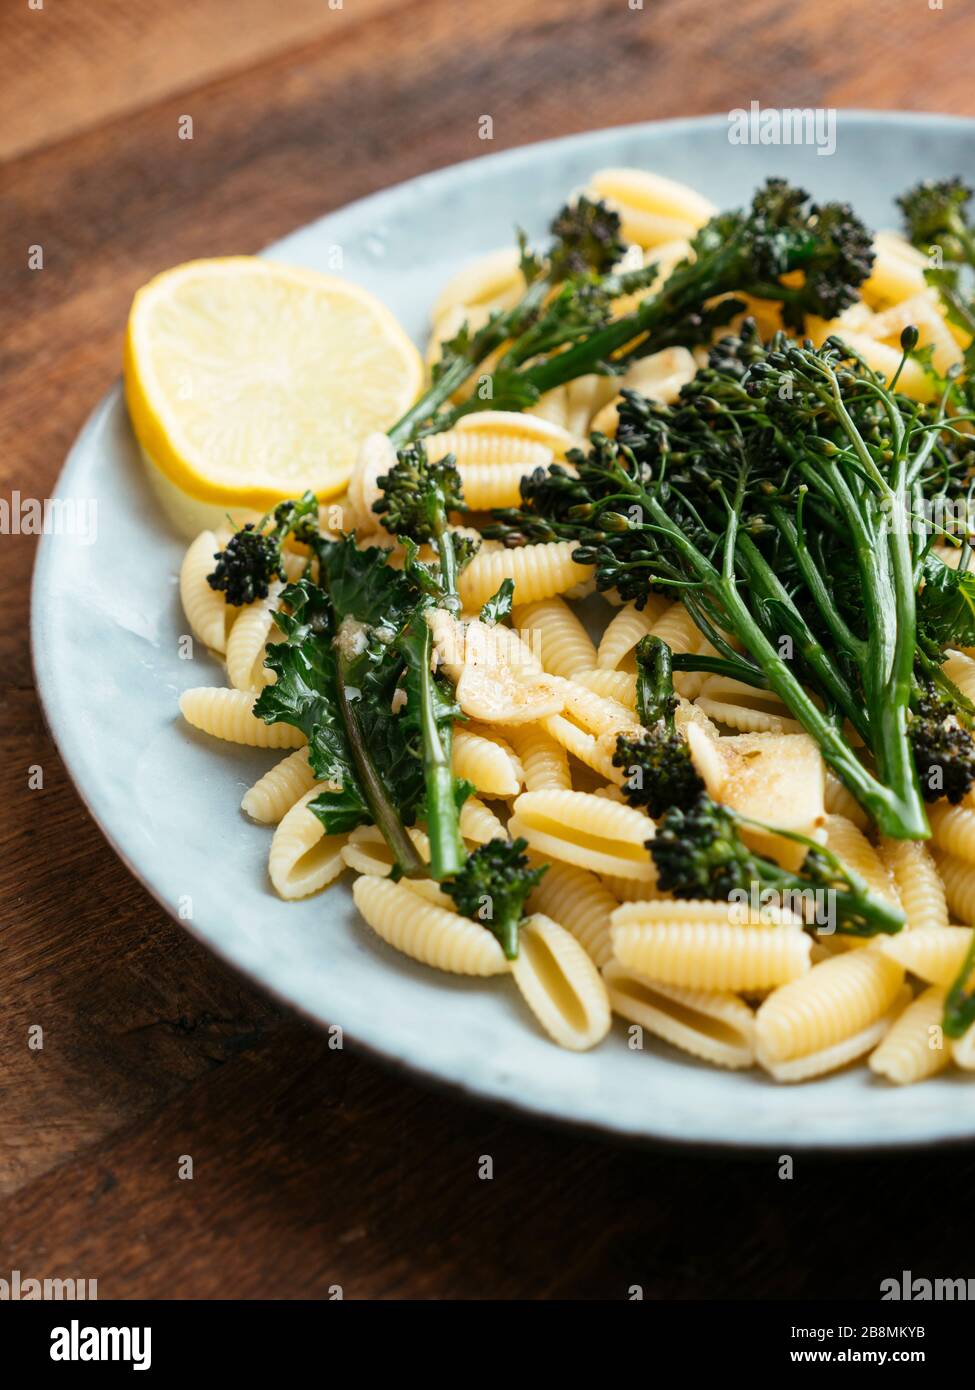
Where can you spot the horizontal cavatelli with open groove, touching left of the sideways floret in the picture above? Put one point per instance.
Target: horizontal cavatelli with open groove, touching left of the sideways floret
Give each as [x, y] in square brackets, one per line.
[586, 831]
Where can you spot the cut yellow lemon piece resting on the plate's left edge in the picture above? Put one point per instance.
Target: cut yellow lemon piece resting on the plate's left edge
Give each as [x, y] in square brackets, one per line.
[250, 382]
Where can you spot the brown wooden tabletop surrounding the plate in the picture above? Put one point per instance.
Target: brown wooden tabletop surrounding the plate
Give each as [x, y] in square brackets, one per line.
[316, 1168]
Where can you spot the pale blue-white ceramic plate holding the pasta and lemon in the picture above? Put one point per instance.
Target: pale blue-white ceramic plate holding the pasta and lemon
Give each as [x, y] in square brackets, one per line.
[106, 623]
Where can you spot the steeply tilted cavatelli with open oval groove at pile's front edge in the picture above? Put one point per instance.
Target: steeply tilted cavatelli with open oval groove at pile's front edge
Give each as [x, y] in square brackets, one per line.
[561, 985]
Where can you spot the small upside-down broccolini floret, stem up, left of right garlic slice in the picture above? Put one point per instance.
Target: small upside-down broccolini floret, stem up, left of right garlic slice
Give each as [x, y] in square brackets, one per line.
[657, 761]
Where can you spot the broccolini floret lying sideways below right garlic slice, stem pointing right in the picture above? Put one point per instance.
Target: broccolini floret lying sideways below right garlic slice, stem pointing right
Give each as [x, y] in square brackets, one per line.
[700, 854]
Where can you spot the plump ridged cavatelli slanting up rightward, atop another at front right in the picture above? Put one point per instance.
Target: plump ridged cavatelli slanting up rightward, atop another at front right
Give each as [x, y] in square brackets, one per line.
[835, 1001]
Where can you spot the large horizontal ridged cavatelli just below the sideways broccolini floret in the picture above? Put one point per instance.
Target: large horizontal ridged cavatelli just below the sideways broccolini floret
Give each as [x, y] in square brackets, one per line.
[700, 947]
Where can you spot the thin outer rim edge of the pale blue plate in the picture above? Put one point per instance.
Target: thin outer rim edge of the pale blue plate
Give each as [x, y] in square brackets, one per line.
[418, 1071]
